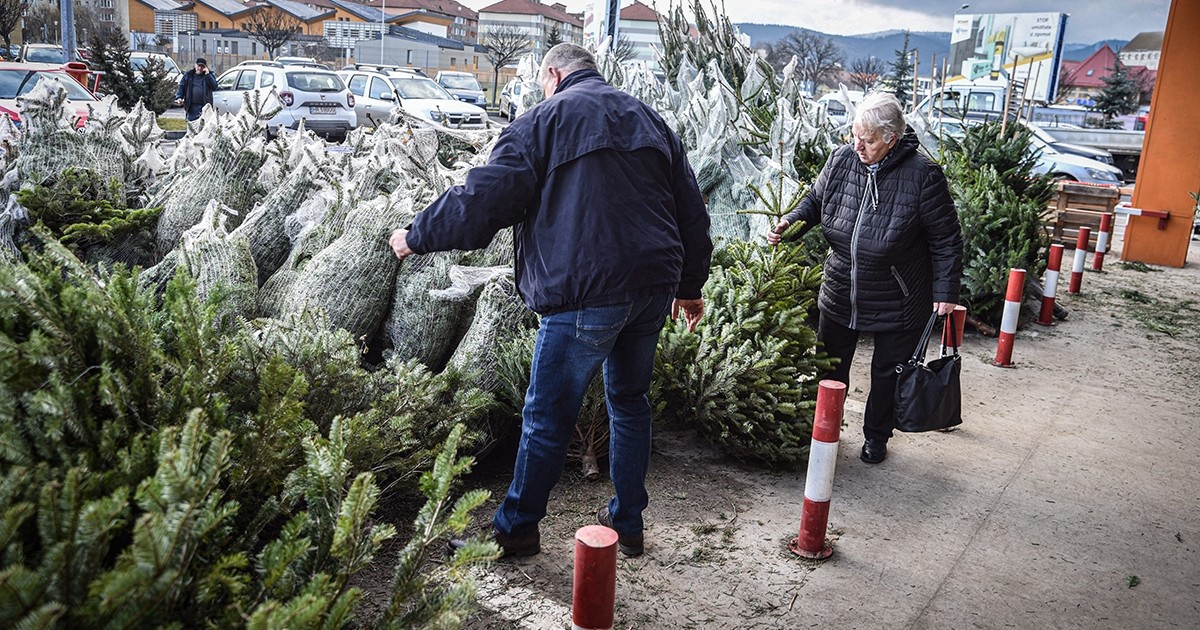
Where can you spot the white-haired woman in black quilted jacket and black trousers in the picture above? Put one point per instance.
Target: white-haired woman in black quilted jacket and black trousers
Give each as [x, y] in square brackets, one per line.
[896, 251]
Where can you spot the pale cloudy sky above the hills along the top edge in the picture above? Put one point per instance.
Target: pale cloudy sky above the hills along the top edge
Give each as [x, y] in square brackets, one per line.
[1090, 21]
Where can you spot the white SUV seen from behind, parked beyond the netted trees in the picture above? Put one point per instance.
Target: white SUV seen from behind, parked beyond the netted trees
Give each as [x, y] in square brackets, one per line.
[317, 97]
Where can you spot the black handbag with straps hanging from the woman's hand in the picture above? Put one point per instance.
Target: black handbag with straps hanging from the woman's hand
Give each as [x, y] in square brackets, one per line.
[929, 397]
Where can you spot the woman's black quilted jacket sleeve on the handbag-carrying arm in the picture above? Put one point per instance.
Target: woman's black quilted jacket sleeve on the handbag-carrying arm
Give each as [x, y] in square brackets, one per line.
[945, 236]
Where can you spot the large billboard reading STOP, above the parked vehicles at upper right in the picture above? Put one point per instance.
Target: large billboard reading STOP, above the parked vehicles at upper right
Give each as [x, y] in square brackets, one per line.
[997, 46]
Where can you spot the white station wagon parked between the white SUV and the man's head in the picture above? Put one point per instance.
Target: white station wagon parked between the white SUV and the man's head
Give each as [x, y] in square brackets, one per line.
[379, 93]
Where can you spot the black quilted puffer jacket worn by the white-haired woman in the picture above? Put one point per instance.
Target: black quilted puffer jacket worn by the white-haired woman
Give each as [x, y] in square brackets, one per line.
[890, 263]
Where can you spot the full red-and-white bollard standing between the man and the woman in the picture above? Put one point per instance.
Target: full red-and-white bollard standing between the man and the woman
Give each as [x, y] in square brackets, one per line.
[812, 543]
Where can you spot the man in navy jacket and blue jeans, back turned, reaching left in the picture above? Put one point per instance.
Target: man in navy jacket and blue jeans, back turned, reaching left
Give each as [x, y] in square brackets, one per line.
[611, 232]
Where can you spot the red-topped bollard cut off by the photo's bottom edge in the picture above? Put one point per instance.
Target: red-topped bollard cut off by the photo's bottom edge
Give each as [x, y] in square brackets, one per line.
[593, 595]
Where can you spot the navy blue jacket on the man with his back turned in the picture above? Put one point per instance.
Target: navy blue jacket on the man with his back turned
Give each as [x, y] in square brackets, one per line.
[604, 203]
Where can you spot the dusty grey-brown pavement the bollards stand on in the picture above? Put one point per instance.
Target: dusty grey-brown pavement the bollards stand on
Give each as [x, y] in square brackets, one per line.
[1071, 475]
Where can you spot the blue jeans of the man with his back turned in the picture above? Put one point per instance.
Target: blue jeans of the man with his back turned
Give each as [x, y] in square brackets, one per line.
[572, 347]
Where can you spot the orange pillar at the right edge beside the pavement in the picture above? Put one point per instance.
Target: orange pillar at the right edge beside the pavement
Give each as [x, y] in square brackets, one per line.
[1171, 154]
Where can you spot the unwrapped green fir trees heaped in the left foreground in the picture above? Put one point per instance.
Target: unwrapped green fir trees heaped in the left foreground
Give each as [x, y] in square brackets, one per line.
[148, 452]
